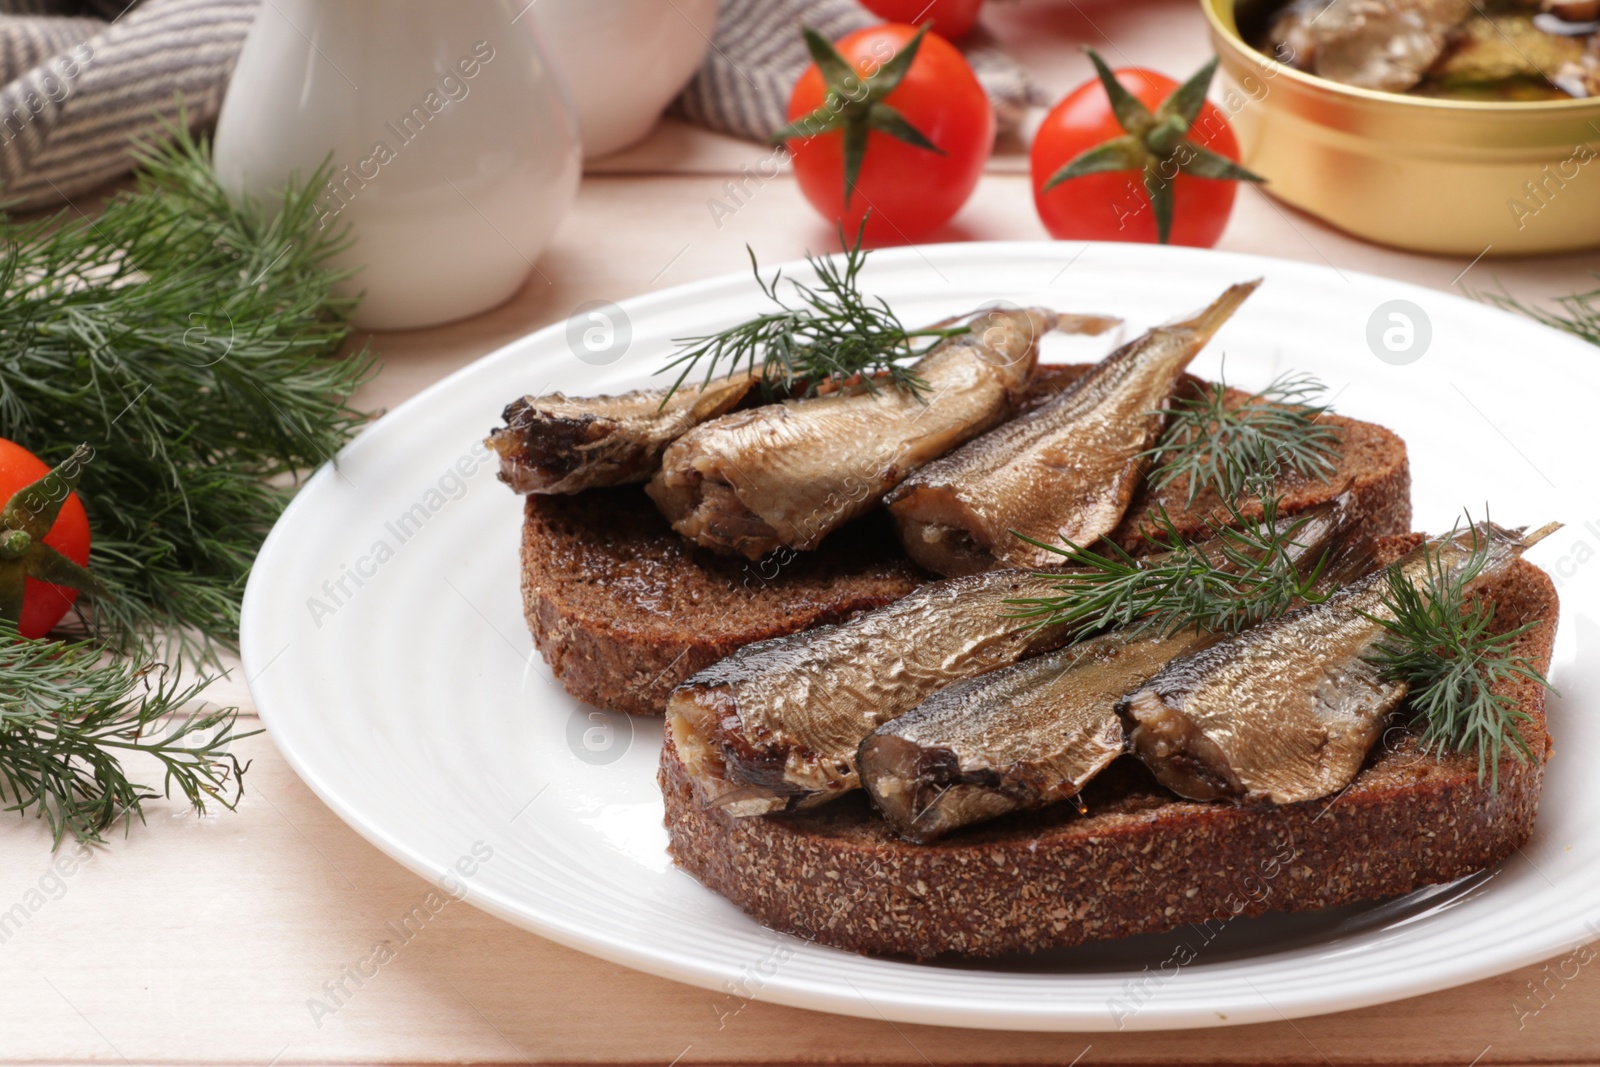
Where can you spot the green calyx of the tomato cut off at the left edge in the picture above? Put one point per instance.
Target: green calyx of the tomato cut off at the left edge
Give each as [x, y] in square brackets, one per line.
[25, 522]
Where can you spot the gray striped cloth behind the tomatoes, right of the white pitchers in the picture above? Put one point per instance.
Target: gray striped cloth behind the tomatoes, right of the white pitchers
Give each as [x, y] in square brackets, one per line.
[758, 54]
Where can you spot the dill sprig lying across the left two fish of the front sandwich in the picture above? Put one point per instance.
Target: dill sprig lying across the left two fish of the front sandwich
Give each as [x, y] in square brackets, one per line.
[1247, 570]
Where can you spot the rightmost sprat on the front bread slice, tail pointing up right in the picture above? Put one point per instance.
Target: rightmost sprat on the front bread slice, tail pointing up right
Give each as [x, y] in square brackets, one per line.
[1287, 711]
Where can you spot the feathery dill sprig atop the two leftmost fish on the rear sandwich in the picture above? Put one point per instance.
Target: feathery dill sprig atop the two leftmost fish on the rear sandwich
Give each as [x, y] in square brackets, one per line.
[830, 334]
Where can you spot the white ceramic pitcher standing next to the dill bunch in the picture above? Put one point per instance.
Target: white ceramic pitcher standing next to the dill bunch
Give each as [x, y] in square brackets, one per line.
[454, 142]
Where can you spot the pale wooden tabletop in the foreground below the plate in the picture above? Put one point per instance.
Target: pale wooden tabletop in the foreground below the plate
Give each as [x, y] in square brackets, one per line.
[207, 941]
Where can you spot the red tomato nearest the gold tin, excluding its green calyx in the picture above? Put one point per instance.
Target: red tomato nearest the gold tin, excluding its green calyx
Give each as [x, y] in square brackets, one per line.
[1114, 207]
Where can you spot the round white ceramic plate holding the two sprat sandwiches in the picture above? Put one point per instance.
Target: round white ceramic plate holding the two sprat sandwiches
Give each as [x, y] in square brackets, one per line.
[386, 650]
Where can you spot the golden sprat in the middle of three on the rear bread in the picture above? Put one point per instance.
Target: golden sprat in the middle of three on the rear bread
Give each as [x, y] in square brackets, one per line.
[788, 474]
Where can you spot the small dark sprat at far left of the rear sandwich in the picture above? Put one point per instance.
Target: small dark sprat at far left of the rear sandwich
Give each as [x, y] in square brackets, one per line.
[559, 444]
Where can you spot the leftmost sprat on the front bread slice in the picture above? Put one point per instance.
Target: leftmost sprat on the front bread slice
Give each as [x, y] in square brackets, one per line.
[777, 725]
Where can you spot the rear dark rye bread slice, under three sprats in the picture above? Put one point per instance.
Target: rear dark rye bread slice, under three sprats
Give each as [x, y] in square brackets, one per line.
[625, 609]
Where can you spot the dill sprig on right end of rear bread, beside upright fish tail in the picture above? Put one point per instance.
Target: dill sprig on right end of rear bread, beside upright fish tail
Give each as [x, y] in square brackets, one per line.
[1230, 449]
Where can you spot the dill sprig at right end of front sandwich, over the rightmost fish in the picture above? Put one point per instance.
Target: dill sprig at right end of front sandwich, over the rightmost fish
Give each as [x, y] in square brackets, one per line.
[1442, 644]
